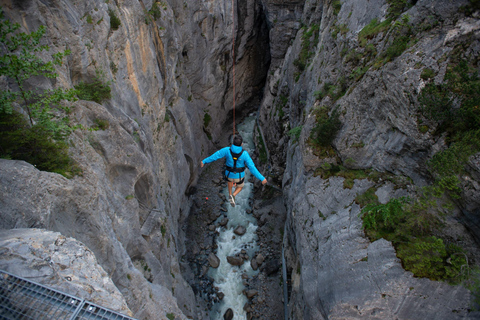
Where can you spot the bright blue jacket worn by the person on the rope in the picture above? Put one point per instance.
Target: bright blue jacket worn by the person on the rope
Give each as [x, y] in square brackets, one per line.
[243, 160]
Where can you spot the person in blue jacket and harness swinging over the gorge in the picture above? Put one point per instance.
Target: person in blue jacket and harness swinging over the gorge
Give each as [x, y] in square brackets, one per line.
[236, 160]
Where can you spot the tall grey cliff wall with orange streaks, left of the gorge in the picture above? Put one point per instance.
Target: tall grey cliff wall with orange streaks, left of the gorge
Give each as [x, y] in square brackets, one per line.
[169, 68]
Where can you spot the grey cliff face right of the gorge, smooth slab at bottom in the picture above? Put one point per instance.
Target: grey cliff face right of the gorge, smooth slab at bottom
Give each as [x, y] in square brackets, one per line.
[336, 273]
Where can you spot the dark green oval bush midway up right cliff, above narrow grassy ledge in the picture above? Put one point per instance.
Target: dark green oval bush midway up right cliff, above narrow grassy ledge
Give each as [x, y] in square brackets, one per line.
[326, 128]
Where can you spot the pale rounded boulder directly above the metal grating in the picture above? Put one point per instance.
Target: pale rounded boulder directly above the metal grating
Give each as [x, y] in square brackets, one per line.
[61, 263]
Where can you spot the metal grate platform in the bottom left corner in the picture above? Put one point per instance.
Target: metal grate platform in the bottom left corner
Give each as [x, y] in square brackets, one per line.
[21, 299]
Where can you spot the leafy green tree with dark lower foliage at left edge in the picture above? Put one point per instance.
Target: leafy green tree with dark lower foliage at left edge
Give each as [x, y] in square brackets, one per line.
[39, 137]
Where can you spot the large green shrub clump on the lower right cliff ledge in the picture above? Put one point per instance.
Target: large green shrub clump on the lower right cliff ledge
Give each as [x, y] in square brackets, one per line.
[410, 230]
